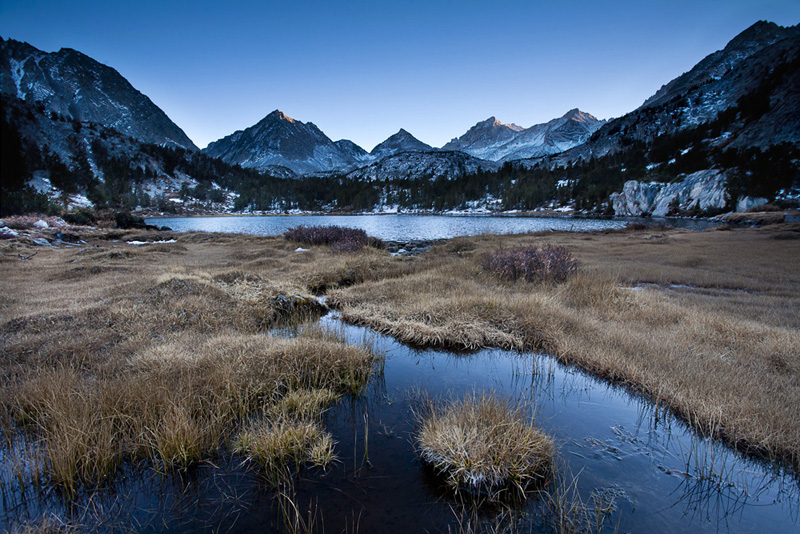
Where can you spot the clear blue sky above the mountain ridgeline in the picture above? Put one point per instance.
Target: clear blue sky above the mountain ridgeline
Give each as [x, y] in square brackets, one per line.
[363, 70]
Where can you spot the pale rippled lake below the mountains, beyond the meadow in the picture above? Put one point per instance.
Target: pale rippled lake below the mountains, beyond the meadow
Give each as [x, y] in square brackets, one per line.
[403, 227]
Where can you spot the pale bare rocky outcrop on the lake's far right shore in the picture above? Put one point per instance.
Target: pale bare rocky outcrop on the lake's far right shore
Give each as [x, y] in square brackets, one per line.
[704, 190]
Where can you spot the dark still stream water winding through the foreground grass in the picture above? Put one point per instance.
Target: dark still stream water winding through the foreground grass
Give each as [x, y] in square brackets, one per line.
[663, 476]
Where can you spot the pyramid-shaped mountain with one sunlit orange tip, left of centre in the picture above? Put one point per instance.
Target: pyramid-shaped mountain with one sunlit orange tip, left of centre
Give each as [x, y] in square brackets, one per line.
[281, 140]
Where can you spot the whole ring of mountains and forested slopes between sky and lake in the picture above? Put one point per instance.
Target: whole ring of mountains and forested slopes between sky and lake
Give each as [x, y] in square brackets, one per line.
[723, 136]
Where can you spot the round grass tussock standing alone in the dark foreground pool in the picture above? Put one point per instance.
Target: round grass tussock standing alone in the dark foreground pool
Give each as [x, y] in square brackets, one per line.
[484, 444]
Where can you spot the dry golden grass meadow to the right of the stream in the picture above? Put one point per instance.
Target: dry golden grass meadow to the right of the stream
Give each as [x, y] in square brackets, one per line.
[723, 353]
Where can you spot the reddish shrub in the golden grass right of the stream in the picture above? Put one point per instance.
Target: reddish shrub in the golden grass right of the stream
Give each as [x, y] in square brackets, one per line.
[535, 263]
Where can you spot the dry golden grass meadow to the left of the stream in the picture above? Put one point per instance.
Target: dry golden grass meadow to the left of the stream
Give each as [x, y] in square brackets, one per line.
[161, 354]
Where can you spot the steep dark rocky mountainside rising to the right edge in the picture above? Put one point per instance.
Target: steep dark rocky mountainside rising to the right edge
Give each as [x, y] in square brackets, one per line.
[746, 91]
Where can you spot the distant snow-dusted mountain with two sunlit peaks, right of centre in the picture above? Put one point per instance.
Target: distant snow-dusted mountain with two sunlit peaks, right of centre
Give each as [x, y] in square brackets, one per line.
[496, 141]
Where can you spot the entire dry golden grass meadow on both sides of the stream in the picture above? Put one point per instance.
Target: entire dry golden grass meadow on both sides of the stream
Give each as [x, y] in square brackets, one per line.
[158, 351]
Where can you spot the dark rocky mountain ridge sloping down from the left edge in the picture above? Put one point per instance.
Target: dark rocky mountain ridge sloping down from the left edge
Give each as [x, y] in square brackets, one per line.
[76, 86]
